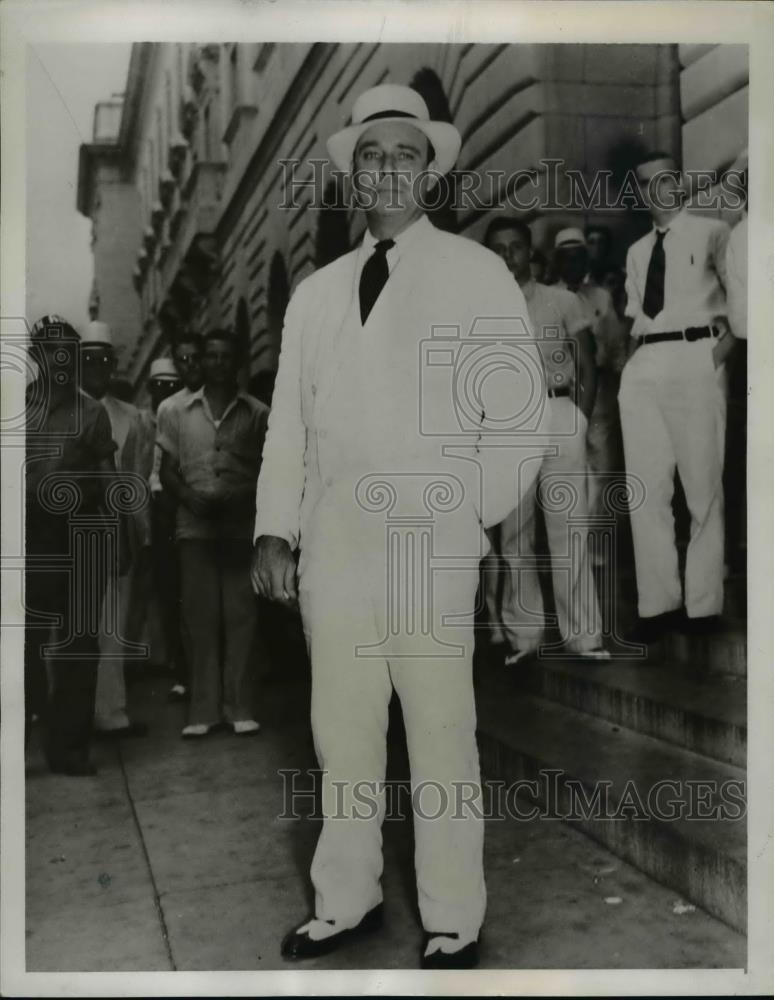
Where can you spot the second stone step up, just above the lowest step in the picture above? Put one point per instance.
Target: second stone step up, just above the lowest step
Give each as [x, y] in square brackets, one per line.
[704, 714]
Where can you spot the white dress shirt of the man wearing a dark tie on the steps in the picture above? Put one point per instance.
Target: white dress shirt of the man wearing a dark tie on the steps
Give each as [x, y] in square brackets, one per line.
[694, 279]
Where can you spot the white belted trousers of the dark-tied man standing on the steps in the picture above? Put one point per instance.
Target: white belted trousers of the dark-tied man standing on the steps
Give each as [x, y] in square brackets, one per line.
[673, 415]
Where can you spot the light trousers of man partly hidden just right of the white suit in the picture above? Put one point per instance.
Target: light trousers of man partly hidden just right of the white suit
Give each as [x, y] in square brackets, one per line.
[563, 486]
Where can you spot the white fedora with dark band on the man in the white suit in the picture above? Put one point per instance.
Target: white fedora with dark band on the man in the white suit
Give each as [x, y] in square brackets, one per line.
[391, 102]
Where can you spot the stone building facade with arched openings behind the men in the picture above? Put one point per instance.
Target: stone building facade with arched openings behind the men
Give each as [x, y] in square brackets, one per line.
[198, 182]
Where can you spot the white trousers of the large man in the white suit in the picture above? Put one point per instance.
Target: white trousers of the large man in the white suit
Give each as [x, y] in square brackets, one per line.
[343, 594]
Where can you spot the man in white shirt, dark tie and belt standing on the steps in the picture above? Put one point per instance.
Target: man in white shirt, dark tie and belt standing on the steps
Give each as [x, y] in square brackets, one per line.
[673, 403]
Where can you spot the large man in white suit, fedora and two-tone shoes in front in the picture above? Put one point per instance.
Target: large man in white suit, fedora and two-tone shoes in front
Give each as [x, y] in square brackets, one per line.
[363, 439]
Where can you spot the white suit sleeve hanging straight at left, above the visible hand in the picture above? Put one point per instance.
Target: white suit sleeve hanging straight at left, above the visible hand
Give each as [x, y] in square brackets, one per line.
[282, 477]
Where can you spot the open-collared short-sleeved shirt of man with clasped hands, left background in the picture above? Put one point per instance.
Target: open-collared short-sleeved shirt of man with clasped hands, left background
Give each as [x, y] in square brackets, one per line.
[215, 458]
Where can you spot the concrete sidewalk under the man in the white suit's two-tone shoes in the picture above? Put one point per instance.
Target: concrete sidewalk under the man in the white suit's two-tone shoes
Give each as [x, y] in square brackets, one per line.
[174, 857]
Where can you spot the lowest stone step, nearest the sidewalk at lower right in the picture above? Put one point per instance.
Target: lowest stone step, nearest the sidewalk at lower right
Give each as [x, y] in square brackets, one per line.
[565, 752]
